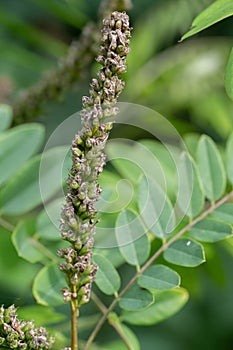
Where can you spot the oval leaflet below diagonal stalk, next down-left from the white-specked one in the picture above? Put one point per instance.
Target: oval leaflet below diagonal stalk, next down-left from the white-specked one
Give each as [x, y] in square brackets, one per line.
[159, 277]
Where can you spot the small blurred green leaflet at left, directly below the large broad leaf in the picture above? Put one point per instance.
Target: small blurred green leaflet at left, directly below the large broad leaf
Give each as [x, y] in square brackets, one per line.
[25, 243]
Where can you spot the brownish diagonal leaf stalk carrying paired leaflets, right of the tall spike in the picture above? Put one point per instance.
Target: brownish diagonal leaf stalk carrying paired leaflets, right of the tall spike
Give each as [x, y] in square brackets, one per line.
[150, 261]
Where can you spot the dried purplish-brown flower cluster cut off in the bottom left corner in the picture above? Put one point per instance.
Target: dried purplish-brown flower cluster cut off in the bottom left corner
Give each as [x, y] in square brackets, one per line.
[19, 334]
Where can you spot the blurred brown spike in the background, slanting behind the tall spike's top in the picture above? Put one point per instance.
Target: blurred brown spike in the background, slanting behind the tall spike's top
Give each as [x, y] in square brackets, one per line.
[30, 103]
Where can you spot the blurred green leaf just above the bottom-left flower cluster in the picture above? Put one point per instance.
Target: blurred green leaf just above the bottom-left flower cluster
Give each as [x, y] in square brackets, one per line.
[41, 315]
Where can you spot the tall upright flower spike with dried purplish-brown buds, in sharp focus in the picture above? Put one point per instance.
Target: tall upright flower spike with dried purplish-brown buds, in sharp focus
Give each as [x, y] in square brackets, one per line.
[88, 158]
